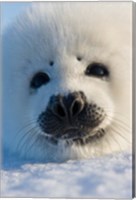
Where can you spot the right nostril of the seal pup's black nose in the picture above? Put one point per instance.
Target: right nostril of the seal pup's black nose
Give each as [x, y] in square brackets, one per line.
[76, 107]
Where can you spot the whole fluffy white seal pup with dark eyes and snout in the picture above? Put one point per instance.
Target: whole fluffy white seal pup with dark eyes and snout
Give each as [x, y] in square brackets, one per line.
[67, 81]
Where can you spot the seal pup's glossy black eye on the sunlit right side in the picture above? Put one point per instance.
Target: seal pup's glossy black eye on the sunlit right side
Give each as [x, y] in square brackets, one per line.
[97, 69]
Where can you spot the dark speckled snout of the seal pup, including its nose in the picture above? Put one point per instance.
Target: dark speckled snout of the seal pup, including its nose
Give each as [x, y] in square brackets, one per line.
[70, 116]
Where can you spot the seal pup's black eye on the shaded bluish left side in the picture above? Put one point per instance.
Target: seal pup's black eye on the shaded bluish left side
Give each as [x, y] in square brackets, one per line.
[39, 79]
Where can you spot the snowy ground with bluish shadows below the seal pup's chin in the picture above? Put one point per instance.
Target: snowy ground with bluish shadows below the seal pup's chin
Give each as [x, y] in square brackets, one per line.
[106, 177]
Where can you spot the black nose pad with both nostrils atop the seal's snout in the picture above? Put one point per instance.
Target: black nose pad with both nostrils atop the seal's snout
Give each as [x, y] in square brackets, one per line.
[69, 106]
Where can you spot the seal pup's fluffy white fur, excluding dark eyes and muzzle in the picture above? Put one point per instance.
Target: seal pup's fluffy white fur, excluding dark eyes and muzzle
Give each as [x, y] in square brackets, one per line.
[99, 32]
